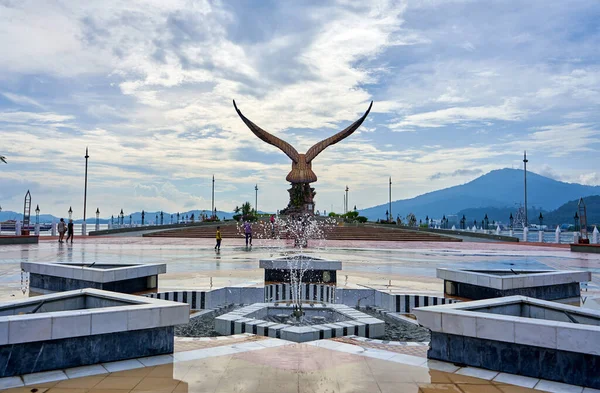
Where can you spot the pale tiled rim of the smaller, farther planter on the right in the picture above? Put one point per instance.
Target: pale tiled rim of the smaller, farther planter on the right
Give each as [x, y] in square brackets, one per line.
[525, 278]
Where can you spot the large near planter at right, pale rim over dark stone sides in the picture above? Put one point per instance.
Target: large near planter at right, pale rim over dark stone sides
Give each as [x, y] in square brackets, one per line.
[518, 335]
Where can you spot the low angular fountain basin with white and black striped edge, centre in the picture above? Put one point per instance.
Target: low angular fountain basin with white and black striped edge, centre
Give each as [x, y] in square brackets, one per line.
[261, 319]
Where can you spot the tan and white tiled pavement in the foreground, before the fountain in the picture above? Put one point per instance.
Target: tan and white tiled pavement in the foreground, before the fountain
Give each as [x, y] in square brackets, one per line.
[271, 365]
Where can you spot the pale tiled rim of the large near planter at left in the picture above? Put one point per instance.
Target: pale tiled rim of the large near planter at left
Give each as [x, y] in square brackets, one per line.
[141, 313]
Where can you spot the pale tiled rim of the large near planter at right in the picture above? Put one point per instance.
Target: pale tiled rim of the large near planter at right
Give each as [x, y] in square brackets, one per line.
[464, 319]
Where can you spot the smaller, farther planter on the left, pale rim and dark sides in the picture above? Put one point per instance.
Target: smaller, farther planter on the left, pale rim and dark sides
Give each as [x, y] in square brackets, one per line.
[58, 277]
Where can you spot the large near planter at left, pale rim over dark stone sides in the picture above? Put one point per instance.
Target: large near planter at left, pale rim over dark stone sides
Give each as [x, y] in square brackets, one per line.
[82, 327]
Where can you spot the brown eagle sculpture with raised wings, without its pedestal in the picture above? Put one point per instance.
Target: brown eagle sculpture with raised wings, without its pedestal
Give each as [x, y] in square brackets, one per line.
[301, 163]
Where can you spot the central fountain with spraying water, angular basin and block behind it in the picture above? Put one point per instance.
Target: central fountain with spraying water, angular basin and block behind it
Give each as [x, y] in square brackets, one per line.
[300, 294]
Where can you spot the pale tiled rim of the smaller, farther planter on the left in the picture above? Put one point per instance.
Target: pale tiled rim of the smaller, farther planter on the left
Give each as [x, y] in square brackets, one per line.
[86, 273]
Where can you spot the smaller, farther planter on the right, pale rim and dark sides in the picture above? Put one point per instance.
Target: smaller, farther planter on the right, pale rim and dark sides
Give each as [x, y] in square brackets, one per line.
[541, 284]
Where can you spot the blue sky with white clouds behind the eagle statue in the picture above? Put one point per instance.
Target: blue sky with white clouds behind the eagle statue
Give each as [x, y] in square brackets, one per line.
[460, 88]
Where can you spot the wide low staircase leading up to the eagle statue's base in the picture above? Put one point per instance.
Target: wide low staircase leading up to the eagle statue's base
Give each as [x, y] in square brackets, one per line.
[346, 232]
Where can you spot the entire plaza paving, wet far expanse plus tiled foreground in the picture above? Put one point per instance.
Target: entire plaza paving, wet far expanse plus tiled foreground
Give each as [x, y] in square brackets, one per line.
[248, 363]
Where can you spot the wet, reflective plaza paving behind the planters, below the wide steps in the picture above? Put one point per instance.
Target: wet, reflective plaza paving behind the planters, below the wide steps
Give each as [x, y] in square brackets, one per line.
[393, 266]
